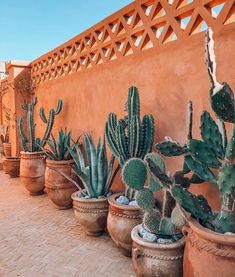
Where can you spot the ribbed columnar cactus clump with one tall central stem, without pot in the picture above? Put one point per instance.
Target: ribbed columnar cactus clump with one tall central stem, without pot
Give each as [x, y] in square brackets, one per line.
[130, 137]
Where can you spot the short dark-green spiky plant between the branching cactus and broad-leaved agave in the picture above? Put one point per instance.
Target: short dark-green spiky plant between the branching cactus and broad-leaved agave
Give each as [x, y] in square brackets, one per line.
[58, 149]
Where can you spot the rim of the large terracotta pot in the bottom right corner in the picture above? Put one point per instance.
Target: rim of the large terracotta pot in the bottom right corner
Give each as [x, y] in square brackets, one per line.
[209, 234]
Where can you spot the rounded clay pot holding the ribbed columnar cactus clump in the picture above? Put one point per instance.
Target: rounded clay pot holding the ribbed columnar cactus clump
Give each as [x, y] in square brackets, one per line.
[121, 220]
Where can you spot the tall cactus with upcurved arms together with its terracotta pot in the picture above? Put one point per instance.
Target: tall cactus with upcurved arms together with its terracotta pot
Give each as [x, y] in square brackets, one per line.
[32, 165]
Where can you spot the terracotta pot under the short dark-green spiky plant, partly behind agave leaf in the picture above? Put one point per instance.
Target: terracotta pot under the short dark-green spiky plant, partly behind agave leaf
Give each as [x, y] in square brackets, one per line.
[58, 188]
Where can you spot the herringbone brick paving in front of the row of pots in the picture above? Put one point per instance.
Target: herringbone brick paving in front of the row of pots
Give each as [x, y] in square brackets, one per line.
[38, 240]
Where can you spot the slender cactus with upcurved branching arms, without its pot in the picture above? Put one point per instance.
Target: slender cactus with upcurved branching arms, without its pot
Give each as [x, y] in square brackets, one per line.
[29, 143]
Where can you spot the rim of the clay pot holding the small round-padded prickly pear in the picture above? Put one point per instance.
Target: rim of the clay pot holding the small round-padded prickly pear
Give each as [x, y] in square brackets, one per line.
[154, 245]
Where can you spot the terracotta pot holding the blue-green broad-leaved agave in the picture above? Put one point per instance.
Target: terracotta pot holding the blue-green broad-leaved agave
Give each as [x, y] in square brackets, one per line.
[91, 214]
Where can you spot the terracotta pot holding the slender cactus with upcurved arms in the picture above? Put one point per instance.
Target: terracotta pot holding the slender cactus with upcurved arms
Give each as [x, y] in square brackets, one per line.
[32, 171]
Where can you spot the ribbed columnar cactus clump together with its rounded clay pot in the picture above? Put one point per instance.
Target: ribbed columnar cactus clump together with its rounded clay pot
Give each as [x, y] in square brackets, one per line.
[126, 138]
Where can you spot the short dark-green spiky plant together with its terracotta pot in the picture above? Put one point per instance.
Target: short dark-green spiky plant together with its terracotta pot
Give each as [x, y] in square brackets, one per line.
[59, 189]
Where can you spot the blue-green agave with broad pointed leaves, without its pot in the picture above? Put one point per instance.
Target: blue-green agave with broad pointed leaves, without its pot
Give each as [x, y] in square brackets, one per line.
[97, 176]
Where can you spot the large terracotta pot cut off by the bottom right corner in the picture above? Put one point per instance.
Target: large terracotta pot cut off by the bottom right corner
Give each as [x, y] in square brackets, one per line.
[208, 253]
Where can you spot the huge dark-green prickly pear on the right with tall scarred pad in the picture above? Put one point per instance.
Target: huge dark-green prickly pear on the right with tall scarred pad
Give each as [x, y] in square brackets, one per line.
[214, 152]
